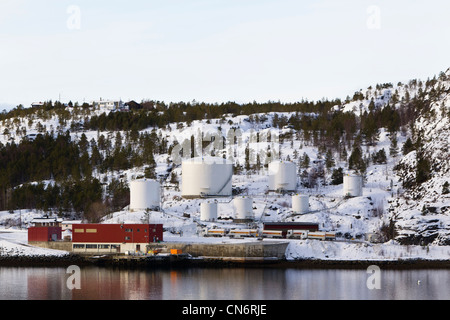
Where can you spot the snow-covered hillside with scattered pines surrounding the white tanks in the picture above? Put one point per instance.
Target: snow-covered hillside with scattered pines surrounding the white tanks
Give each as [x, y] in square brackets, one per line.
[394, 206]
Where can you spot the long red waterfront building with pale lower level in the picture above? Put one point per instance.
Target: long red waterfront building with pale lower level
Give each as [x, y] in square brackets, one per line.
[115, 238]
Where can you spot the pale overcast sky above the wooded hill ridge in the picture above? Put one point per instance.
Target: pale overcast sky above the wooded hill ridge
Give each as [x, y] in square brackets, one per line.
[215, 50]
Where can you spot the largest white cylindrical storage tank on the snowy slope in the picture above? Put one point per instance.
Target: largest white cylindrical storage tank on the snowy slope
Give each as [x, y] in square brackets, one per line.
[210, 176]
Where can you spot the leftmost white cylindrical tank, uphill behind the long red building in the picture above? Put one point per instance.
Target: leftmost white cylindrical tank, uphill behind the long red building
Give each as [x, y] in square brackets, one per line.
[144, 194]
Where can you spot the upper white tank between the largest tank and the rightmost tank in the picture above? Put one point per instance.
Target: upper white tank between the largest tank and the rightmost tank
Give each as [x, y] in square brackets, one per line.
[282, 176]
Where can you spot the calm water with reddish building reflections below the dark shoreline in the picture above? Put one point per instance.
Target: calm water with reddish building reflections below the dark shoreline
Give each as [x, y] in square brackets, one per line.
[221, 284]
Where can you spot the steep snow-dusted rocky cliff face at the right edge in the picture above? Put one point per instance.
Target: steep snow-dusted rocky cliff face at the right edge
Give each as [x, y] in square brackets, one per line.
[422, 213]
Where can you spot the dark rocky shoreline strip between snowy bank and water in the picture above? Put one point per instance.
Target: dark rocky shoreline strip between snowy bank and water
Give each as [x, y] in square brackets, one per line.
[73, 259]
